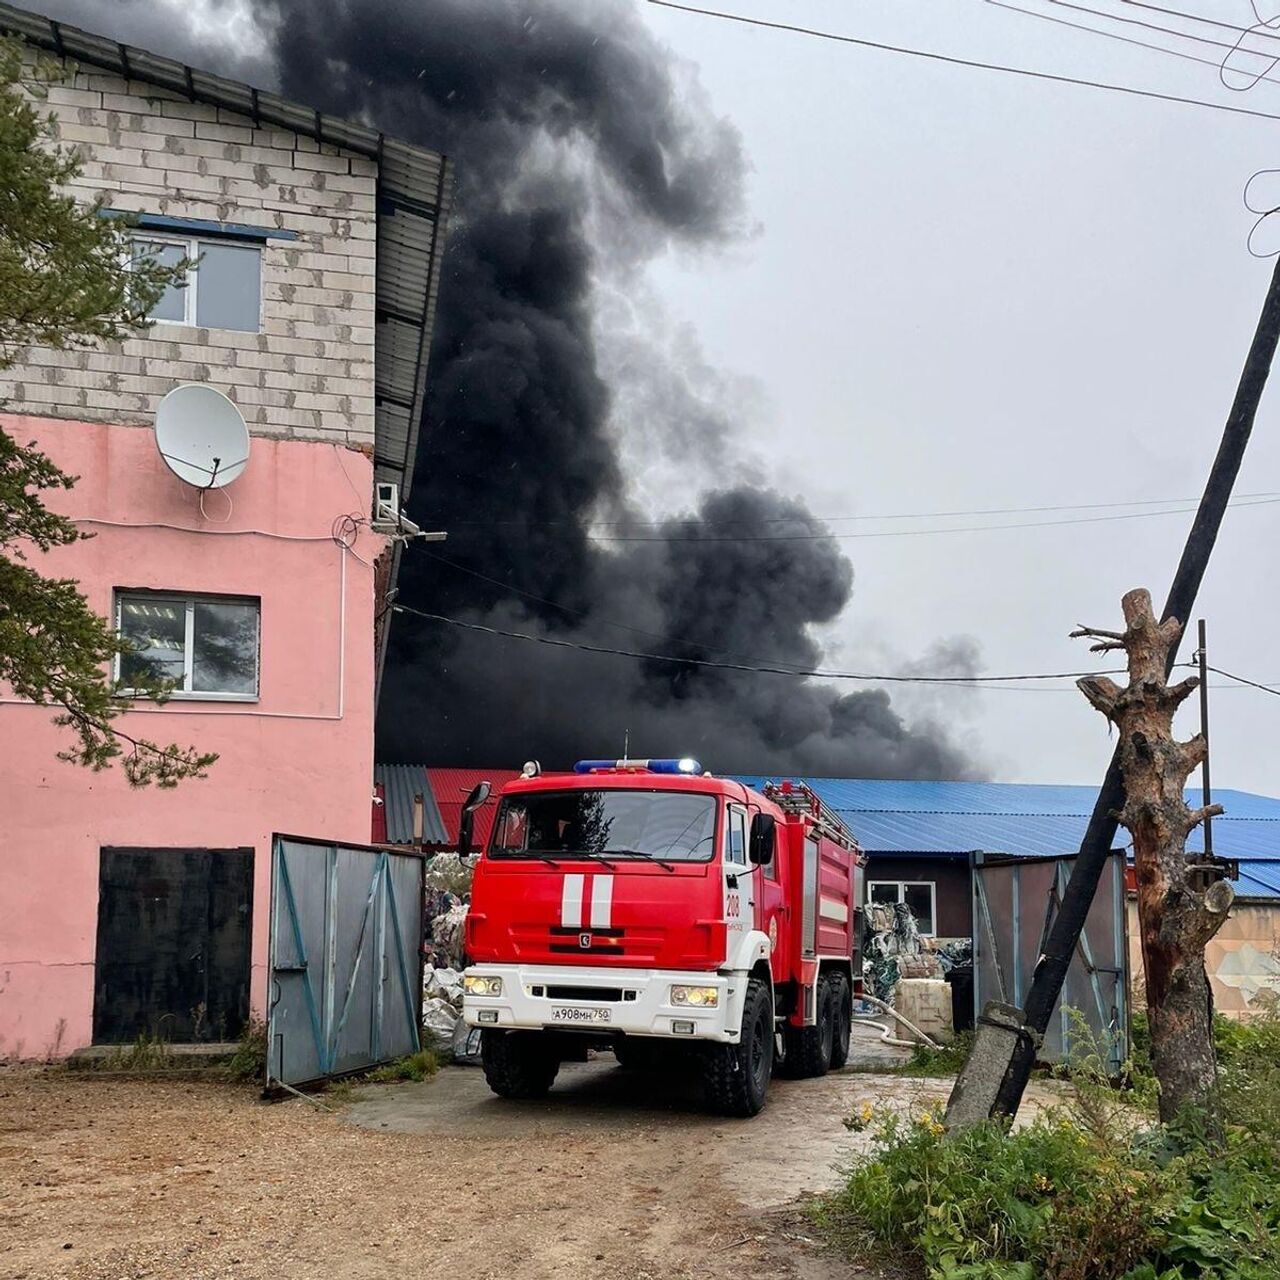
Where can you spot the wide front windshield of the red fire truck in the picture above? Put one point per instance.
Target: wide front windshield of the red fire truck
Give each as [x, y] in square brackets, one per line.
[669, 826]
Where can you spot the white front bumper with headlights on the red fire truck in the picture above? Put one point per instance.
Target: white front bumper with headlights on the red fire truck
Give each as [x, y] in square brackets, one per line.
[633, 1002]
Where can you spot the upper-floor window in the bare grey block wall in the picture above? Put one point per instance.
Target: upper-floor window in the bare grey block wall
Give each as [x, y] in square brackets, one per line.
[222, 291]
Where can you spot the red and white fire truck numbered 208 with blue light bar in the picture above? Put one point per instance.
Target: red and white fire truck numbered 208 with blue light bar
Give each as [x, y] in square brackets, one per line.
[641, 906]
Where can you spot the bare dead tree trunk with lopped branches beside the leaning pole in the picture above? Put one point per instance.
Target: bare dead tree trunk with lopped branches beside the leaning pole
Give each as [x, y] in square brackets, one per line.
[1176, 916]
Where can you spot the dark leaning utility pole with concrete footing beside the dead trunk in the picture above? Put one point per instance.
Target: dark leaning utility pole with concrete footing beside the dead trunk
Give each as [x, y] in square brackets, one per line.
[1000, 1064]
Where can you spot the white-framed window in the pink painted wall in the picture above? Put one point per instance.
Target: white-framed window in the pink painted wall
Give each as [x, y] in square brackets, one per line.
[207, 644]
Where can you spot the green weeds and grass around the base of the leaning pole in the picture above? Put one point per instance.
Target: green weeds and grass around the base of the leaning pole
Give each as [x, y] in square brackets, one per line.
[1094, 1190]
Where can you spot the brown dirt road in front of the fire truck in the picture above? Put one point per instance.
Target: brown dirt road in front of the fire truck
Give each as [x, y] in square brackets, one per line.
[611, 1177]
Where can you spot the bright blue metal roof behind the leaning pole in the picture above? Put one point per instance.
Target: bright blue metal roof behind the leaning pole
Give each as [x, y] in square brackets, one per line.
[958, 819]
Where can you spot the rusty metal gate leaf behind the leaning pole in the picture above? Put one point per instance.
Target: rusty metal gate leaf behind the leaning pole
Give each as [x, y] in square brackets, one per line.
[1016, 900]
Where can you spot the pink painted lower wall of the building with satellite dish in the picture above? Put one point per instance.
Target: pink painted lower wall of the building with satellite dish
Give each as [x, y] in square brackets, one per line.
[298, 761]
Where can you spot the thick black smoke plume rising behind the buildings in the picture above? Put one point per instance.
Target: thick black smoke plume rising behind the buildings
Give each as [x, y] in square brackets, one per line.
[583, 148]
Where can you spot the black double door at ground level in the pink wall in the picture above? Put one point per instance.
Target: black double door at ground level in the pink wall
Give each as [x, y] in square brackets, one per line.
[173, 945]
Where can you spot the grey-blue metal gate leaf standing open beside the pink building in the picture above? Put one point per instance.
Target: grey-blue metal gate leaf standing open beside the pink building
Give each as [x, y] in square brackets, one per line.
[346, 979]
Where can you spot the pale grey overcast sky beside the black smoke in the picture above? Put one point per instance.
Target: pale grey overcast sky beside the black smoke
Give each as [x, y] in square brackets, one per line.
[975, 291]
